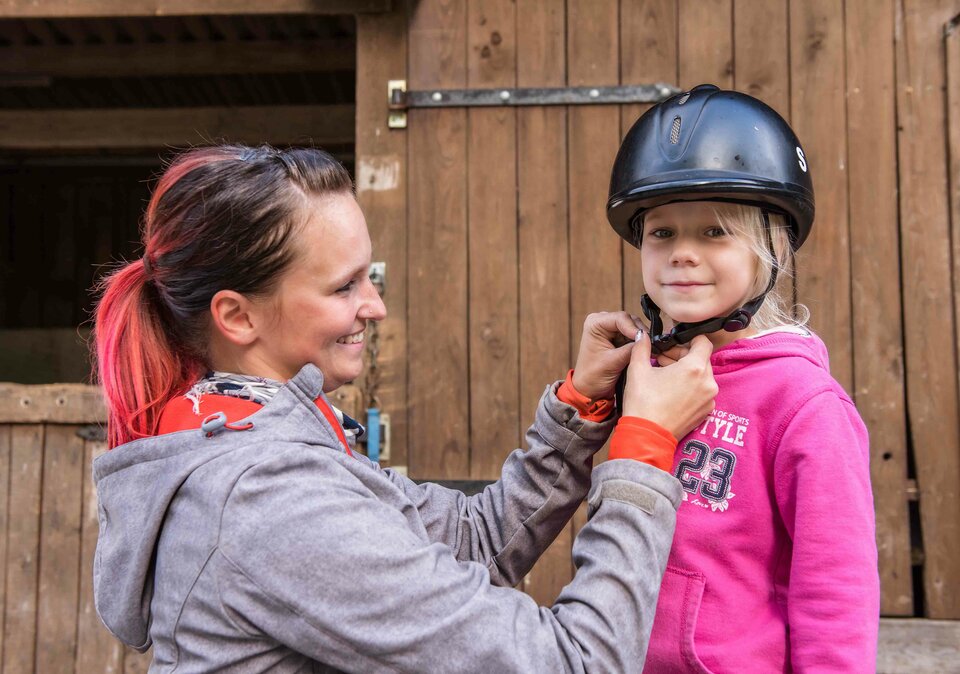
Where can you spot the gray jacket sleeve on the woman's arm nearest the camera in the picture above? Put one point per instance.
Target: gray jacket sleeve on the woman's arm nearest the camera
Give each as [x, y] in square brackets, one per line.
[316, 562]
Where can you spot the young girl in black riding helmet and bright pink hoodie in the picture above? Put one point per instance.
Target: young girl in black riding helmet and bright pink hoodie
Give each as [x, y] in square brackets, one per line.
[774, 562]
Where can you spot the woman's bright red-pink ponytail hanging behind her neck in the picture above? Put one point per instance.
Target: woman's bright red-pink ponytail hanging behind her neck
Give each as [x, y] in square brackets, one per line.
[138, 366]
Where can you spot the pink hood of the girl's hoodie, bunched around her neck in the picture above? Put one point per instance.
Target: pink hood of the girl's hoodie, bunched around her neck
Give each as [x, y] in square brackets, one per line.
[786, 342]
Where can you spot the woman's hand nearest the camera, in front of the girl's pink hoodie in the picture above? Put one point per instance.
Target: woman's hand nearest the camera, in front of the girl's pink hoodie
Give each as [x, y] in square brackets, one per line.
[678, 396]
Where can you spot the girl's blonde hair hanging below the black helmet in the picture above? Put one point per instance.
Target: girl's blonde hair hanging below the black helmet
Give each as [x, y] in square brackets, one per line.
[746, 223]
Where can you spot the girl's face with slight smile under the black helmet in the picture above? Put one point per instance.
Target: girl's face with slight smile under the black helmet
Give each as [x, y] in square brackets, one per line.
[692, 268]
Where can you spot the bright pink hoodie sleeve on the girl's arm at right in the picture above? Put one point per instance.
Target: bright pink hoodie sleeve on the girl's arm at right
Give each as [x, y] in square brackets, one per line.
[822, 482]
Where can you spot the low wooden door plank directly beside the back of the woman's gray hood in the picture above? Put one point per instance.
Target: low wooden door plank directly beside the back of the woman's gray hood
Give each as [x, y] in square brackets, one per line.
[97, 649]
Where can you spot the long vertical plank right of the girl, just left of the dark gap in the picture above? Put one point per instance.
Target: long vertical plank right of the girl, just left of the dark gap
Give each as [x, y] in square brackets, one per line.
[879, 390]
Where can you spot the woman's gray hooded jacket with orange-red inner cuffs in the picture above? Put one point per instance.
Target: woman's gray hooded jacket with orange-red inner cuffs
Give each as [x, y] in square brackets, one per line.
[272, 549]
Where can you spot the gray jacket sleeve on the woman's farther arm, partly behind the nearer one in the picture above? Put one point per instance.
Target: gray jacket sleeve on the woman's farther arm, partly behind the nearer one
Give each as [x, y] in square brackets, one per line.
[509, 525]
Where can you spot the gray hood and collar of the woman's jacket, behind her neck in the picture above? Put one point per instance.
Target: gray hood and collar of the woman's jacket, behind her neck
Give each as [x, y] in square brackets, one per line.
[136, 484]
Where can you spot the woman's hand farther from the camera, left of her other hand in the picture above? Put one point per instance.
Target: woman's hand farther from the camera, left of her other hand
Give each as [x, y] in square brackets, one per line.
[605, 347]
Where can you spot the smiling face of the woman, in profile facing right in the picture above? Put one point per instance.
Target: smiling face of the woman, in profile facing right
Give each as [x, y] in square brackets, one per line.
[325, 298]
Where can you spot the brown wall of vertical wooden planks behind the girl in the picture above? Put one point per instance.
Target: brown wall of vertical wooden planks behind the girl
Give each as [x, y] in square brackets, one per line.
[493, 229]
